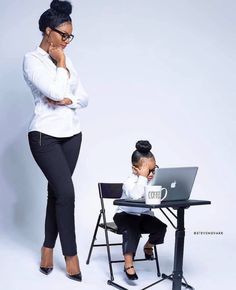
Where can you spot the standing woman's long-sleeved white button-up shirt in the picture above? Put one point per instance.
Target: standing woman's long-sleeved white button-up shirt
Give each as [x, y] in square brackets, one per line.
[46, 80]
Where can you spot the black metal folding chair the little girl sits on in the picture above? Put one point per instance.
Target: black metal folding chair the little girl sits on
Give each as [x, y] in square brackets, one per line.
[111, 191]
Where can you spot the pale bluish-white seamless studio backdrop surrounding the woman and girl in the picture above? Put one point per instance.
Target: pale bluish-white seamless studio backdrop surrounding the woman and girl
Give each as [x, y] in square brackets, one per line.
[157, 70]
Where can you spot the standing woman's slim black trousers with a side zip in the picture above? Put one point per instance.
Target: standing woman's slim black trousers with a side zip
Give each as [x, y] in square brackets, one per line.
[57, 158]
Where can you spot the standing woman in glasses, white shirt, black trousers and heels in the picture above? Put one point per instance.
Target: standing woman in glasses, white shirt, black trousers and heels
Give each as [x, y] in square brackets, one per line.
[54, 132]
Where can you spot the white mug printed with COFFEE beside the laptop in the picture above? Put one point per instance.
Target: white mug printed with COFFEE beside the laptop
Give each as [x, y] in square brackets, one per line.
[153, 194]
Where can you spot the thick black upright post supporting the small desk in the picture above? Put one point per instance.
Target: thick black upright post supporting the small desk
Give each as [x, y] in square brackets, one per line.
[179, 251]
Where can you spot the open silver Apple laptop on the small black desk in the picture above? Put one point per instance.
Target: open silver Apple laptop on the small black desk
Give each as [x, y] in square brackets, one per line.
[178, 181]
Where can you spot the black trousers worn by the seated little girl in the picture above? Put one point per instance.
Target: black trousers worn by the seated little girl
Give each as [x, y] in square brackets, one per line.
[132, 226]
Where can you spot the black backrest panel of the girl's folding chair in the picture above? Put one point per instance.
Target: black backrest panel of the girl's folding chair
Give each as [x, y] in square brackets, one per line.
[110, 190]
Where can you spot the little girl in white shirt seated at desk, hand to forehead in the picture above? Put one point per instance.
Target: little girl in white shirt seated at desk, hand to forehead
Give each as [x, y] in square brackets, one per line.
[134, 221]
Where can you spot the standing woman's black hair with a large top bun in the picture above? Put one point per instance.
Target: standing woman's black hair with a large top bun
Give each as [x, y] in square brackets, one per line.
[58, 13]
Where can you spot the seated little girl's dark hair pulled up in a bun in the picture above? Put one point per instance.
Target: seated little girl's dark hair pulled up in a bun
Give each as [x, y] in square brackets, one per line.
[143, 149]
